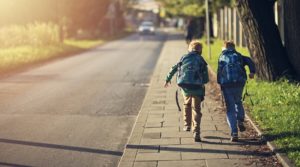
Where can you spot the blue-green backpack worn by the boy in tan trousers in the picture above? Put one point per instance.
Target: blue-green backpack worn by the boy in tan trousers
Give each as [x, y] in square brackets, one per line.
[190, 71]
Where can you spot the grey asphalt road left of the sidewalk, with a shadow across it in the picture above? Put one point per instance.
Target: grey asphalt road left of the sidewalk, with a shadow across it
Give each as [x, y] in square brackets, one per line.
[78, 111]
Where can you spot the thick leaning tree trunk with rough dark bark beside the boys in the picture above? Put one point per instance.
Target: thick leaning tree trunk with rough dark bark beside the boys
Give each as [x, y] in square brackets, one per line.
[264, 42]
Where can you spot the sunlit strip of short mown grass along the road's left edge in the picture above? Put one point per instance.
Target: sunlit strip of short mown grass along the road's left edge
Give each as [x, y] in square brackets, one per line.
[15, 57]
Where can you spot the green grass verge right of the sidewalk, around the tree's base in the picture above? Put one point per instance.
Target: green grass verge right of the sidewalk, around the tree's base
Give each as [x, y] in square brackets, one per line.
[276, 107]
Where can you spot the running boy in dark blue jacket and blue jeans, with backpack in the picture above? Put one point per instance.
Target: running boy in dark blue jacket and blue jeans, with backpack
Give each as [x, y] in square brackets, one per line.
[232, 78]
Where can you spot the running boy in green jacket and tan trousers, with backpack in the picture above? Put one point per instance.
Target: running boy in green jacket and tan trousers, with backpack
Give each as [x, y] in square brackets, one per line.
[193, 96]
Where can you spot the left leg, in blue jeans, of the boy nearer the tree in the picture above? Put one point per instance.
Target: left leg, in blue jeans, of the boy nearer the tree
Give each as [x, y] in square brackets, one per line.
[231, 110]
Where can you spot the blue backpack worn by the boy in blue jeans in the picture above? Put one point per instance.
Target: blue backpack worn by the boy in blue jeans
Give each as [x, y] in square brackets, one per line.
[231, 68]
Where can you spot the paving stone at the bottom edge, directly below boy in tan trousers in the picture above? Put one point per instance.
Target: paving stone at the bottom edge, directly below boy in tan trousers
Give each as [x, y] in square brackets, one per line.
[195, 163]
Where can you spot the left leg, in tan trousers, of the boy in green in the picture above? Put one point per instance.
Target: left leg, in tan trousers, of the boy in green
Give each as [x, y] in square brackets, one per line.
[187, 112]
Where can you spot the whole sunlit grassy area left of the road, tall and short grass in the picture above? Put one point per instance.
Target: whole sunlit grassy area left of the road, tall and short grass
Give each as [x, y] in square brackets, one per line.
[37, 42]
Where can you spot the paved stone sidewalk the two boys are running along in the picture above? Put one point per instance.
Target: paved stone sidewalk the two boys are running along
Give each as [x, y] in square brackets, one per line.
[157, 139]
